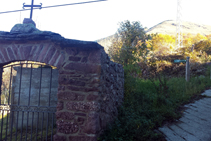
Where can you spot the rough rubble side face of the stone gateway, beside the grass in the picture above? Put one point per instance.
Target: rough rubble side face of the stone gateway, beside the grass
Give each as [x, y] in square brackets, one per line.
[112, 86]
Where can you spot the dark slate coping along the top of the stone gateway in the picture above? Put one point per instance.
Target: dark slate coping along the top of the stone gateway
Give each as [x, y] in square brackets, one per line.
[8, 37]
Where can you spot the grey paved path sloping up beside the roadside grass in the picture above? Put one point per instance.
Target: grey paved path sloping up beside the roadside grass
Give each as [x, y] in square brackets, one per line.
[194, 125]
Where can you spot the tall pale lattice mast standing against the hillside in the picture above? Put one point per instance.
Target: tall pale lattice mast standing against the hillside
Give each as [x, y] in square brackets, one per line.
[179, 36]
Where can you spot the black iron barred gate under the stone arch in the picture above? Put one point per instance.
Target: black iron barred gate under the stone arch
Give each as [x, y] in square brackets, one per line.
[28, 101]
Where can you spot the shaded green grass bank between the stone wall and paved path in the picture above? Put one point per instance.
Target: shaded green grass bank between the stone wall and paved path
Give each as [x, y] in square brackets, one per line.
[147, 105]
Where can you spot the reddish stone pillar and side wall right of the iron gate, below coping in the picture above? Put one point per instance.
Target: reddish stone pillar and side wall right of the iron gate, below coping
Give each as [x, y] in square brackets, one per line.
[90, 92]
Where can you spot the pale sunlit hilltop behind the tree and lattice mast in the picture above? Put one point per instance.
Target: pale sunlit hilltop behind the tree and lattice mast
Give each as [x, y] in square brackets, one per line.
[166, 27]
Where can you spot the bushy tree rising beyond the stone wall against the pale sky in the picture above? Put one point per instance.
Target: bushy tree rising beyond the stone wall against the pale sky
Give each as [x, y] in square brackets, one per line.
[128, 46]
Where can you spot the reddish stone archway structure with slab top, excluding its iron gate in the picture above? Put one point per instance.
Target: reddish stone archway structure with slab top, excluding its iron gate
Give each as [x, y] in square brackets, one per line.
[90, 86]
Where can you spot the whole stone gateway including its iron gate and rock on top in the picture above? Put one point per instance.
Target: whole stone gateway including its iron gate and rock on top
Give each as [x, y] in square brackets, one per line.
[74, 78]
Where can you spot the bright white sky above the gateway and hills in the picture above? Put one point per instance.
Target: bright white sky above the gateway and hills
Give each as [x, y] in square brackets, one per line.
[97, 20]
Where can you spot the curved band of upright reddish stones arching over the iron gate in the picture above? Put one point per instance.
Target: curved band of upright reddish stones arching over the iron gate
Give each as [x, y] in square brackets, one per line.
[43, 52]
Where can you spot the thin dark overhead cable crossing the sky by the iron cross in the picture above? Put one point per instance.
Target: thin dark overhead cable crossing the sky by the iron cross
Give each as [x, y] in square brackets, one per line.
[53, 6]
